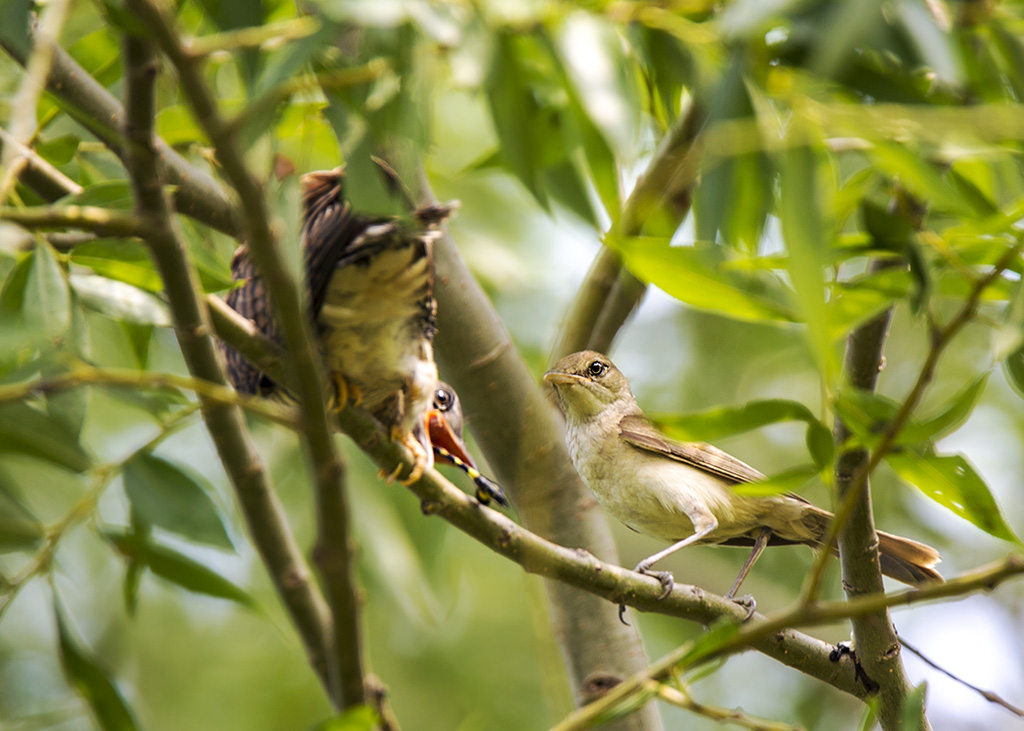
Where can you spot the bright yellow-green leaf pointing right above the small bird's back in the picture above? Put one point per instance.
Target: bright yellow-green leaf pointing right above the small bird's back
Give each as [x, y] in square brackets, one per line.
[701, 276]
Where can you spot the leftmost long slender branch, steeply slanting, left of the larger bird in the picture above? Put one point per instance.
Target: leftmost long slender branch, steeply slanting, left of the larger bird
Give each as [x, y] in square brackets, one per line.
[264, 513]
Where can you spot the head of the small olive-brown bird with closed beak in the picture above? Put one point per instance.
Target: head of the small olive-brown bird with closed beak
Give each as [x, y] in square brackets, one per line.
[587, 384]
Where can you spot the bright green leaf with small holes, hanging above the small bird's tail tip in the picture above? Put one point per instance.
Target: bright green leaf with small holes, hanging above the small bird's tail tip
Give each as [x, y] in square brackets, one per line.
[954, 484]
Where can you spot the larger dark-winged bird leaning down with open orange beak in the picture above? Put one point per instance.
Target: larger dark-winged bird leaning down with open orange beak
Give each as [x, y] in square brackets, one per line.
[370, 284]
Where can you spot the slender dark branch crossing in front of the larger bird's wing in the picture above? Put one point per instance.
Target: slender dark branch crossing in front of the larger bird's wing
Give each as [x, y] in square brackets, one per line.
[333, 552]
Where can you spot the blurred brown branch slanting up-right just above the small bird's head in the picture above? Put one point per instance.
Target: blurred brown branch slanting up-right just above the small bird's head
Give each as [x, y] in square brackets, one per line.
[610, 294]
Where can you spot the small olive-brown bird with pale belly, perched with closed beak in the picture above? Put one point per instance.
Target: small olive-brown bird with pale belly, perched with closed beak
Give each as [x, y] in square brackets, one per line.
[682, 493]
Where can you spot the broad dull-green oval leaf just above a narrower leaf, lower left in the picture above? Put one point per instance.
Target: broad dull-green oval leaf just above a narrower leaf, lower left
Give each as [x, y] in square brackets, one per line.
[165, 495]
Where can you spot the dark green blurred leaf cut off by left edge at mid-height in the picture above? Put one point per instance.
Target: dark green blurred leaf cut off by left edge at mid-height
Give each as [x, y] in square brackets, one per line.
[27, 431]
